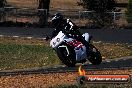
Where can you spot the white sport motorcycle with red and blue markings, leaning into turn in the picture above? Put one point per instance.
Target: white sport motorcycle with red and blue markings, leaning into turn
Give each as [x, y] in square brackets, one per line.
[70, 51]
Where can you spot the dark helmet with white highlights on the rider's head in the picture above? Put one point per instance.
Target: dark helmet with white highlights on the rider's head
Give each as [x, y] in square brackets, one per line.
[56, 19]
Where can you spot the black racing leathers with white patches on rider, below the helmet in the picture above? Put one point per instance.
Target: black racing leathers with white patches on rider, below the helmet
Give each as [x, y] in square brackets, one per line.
[70, 29]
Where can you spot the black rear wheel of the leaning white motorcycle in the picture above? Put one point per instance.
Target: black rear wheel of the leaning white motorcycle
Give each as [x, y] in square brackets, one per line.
[95, 56]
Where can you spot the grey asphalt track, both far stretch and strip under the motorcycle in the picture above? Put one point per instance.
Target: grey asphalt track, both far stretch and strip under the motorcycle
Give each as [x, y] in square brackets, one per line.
[106, 35]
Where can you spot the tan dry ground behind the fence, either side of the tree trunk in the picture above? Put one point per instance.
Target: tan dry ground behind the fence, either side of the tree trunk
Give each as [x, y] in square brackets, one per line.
[55, 4]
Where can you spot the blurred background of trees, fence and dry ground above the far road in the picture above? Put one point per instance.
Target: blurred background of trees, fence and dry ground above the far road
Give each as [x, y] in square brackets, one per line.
[90, 14]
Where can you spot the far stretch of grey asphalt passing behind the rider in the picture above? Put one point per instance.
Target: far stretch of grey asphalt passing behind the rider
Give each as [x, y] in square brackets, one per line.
[105, 35]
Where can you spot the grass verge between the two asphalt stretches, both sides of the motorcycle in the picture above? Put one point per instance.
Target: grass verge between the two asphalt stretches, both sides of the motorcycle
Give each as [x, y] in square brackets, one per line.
[18, 53]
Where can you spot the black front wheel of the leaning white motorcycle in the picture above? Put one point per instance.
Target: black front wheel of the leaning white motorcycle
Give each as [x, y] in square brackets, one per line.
[69, 60]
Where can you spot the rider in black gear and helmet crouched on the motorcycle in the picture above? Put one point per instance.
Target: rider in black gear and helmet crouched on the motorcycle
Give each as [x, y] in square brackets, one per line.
[67, 27]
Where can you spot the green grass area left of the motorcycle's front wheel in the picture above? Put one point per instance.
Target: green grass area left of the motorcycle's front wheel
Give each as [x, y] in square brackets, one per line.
[14, 56]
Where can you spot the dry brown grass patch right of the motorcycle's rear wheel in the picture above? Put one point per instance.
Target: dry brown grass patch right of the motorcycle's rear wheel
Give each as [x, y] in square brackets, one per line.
[111, 50]
